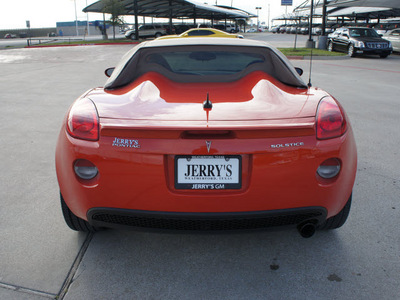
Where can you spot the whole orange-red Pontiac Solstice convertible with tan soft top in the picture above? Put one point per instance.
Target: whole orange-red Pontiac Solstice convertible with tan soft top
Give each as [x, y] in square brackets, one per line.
[206, 134]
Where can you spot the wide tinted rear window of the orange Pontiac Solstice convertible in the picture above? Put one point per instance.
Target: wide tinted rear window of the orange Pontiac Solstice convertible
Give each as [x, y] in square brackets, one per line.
[203, 64]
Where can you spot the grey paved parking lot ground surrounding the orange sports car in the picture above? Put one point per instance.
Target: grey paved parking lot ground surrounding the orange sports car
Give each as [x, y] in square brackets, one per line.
[41, 258]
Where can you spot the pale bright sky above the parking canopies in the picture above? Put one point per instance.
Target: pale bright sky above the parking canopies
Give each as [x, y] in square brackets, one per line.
[45, 13]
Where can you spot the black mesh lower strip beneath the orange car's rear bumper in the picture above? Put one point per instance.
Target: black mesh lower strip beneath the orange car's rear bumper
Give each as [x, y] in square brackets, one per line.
[229, 221]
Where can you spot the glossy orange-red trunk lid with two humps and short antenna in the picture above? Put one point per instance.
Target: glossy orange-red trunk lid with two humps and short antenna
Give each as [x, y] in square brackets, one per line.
[255, 98]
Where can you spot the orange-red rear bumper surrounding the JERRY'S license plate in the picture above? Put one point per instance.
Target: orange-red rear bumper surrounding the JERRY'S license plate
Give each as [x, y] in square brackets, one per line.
[274, 179]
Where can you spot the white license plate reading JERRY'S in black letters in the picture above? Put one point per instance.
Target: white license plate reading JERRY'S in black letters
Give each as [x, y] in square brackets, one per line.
[208, 172]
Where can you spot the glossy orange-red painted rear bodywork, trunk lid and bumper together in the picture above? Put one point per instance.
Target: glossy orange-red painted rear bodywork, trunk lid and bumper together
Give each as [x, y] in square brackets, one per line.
[255, 118]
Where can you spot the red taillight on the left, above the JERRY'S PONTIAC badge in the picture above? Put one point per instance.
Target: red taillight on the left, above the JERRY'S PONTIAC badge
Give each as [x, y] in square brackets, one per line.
[83, 121]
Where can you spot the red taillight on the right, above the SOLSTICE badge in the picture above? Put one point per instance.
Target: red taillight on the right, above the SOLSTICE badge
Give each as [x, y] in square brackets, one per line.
[331, 122]
